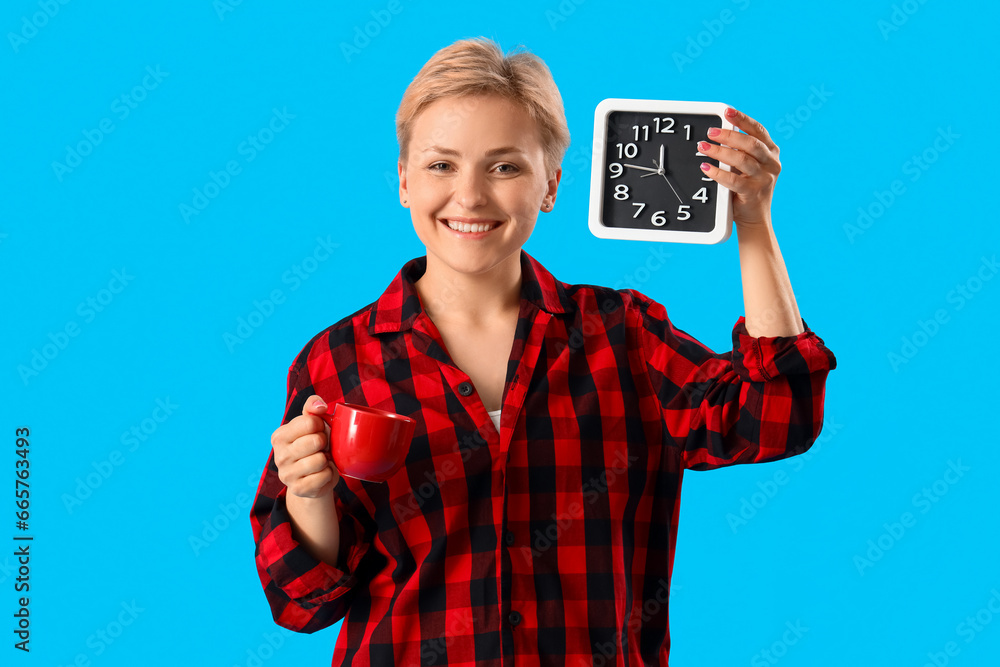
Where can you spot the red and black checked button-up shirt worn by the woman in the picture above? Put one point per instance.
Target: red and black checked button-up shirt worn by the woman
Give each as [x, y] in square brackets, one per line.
[552, 541]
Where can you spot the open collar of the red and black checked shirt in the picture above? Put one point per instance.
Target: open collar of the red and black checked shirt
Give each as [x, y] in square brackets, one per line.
[399, 305]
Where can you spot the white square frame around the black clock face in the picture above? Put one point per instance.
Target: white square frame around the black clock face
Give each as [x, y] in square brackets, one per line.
[723, 205]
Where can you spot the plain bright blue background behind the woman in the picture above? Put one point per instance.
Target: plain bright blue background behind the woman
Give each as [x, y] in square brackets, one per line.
[125, 550]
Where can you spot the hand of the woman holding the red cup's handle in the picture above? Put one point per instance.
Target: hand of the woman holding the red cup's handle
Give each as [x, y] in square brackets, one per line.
[302, 453]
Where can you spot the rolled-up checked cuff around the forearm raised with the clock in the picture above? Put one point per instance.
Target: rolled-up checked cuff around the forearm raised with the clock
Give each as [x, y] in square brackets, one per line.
[763, 358]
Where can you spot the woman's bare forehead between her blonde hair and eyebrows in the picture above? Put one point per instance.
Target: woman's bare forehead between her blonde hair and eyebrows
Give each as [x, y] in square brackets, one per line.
[475, 120]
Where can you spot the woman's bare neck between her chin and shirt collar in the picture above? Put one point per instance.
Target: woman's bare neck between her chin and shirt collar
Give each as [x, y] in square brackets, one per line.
[451, 296]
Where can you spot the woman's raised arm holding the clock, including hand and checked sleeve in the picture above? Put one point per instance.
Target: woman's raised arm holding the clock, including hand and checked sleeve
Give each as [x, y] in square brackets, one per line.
[763, 400]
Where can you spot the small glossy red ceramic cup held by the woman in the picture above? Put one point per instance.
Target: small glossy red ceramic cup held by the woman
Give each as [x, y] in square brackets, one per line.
[367, 443]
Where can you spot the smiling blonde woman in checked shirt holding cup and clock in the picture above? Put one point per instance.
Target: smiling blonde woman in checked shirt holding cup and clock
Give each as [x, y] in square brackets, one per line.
[537, 511]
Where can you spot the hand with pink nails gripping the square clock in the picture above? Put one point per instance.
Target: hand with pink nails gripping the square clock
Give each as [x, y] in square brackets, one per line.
[753, 158]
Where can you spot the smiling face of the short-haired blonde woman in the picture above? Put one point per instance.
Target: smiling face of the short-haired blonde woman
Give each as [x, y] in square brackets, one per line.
[475, 159]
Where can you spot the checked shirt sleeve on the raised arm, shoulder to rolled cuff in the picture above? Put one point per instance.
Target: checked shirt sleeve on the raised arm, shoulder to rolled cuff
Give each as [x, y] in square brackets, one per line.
[761, 401]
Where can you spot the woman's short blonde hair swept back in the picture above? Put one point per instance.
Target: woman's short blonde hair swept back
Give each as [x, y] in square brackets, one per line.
[479, 66]
